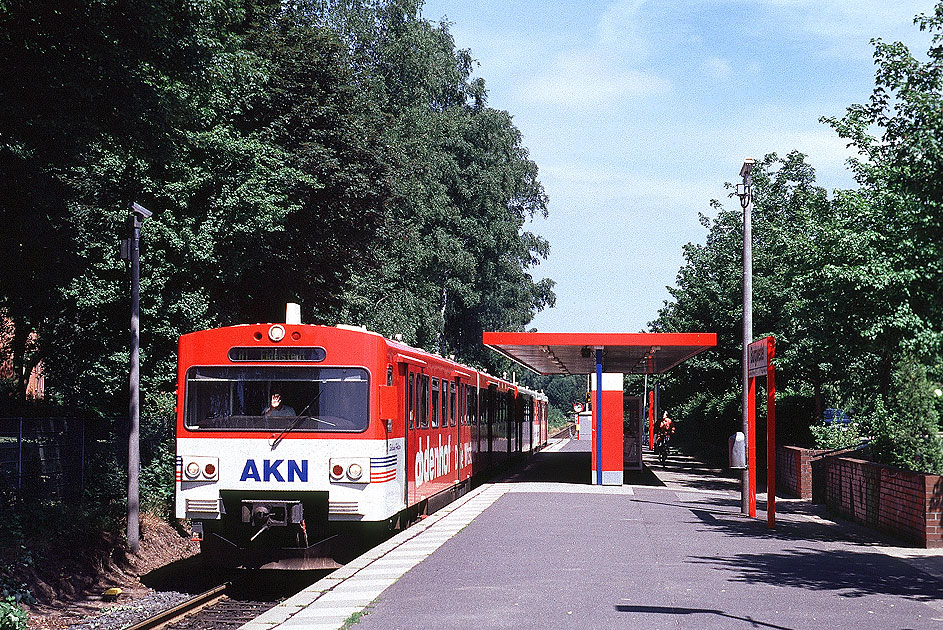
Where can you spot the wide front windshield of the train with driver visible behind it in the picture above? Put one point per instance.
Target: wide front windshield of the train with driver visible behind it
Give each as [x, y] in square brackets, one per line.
[277, 398]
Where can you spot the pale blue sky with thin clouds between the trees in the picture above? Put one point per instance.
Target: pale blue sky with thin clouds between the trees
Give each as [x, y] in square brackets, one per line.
[637, 112]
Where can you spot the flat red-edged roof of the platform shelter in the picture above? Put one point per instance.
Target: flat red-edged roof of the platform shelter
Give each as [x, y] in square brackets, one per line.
[573, 353]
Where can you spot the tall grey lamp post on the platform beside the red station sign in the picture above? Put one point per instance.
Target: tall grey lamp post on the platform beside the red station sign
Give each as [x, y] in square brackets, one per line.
[745, 192]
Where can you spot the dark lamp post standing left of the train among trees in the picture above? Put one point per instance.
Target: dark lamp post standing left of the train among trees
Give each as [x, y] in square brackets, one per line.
[138, 214]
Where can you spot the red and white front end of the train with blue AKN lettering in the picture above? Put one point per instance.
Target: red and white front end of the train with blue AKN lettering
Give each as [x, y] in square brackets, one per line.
[282, 455]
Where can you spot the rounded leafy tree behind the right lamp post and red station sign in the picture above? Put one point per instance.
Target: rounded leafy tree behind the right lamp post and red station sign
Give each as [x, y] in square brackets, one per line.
[820, 287]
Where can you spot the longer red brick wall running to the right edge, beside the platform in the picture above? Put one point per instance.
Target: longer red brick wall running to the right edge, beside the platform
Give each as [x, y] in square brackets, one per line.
[905, 504]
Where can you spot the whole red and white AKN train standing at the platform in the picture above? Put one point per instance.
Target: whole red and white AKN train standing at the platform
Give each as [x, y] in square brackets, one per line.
[368, 431]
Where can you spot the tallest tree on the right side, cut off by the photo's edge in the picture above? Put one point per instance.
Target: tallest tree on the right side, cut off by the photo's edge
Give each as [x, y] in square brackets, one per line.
[899, 169]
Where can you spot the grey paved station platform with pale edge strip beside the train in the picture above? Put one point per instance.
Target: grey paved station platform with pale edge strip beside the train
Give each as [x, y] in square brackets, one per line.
[541, 548]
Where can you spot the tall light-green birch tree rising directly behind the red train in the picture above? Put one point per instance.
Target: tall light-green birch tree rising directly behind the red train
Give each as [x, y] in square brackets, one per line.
[453, 256]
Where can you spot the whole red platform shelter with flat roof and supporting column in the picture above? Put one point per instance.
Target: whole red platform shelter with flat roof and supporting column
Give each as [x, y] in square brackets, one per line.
[606, 356]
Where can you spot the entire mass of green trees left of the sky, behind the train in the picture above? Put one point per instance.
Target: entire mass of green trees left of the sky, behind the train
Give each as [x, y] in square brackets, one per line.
[337, 154]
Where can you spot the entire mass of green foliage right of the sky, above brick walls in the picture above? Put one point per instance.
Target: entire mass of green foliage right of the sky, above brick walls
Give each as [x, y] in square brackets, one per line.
[848, 285]
